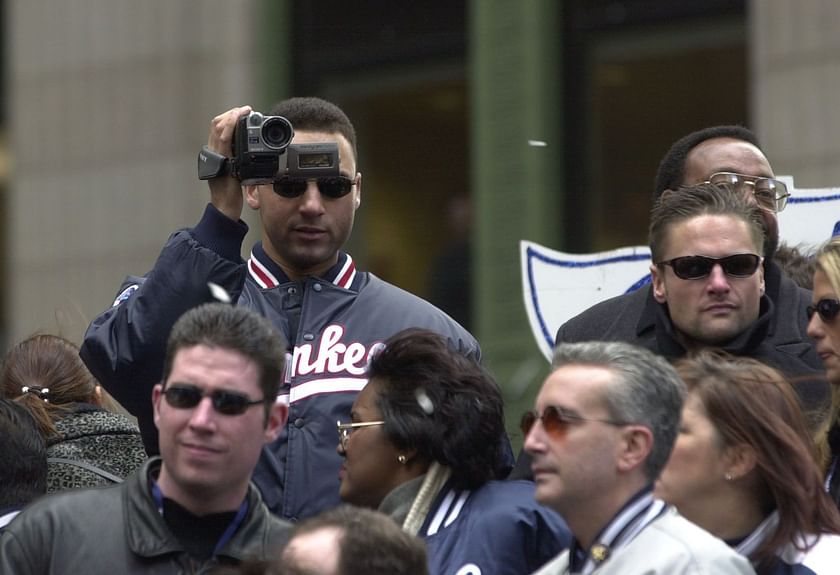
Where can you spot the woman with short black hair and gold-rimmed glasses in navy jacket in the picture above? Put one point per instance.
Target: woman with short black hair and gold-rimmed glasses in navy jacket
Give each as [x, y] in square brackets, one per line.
[424, 447]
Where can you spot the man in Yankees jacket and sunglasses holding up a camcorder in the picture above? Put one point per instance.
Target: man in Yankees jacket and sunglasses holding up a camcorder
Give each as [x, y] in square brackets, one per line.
[297, 167]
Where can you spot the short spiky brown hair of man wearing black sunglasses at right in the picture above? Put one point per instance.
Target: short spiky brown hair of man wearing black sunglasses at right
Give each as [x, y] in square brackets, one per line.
[689, 202]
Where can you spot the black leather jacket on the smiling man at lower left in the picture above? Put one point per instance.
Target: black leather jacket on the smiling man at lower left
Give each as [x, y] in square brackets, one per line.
[118, 529]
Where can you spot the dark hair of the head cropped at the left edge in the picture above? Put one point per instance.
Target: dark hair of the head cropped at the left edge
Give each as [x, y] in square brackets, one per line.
[23, 456]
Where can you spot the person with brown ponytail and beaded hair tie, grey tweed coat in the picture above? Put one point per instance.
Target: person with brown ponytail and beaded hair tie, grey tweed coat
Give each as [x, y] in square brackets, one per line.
[87, 443]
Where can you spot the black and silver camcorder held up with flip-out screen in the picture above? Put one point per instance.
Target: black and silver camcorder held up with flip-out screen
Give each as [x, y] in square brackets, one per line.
[262, 152]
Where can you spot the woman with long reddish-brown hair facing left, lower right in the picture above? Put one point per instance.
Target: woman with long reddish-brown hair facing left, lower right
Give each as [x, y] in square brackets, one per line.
[744, 467]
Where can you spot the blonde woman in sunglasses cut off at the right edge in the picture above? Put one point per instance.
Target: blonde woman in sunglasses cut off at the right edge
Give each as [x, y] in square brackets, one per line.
[824, 328]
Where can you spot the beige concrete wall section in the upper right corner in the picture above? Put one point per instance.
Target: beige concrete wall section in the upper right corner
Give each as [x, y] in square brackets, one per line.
[795, 62]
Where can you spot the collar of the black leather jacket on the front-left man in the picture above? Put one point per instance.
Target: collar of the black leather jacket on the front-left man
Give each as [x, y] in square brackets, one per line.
[149, 536]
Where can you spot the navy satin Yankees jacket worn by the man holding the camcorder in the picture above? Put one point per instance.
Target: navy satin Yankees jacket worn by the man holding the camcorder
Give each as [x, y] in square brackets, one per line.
[332, 324]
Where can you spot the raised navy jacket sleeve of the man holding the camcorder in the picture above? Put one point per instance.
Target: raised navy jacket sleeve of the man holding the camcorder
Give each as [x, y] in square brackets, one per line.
[124, 346]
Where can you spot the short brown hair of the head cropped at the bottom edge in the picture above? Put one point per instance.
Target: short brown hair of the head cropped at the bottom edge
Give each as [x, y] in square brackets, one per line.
[370, 543]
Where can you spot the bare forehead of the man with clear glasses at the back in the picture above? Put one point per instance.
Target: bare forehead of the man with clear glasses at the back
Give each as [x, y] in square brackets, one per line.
[724, 155]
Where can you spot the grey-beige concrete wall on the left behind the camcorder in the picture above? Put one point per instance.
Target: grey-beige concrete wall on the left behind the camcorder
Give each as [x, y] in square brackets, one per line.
[108, 104]
